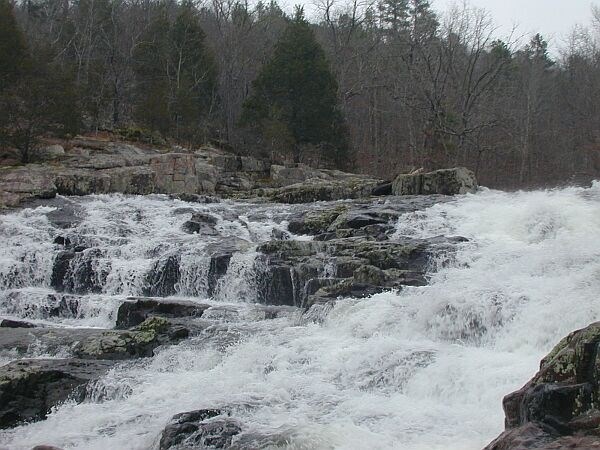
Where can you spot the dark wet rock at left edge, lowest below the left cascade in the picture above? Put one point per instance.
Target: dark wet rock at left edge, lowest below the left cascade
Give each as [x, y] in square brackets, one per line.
[29, 389]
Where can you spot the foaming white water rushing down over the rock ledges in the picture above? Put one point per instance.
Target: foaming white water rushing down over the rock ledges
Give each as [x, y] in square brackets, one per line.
[422, 369]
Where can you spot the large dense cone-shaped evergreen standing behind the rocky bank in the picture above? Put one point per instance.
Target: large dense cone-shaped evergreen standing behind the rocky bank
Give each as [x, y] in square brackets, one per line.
[294, 97]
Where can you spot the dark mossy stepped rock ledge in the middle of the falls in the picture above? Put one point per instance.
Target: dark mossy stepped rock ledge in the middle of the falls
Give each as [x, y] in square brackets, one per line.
[351, 255]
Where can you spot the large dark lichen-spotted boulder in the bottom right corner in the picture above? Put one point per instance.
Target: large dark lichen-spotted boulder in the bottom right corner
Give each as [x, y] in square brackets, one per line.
[558, 407]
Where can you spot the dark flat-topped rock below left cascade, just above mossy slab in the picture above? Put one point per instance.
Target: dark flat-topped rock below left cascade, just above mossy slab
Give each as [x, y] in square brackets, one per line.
[136, 310]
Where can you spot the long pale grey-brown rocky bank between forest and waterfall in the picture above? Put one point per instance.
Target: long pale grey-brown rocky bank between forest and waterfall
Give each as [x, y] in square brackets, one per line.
[97, 166]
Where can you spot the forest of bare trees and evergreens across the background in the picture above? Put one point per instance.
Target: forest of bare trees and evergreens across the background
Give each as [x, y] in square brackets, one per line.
[377, 87]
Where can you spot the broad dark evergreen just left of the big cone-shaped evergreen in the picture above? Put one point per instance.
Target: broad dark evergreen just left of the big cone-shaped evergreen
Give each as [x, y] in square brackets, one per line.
[176, 76]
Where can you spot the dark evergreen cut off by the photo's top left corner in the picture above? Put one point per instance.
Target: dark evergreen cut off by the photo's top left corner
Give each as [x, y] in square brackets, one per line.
[13, 52]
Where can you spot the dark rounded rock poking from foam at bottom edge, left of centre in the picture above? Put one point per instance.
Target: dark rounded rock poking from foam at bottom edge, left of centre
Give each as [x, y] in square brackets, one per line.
[205, 428]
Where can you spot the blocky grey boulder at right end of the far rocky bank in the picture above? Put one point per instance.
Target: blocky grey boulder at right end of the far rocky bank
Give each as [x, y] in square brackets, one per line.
[445, 181]
